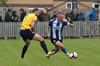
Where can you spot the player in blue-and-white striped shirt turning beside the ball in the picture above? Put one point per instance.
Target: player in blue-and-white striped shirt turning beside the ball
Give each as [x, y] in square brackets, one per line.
[55, 34]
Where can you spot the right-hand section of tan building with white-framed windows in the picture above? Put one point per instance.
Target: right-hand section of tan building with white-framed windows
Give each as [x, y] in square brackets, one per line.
[77, 3]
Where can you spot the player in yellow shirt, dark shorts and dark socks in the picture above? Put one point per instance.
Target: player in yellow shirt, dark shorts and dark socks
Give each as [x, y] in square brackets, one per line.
[27, 31]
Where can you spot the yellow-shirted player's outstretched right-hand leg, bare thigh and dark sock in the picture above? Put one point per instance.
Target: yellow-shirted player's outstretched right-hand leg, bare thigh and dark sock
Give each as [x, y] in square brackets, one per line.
[42, 43]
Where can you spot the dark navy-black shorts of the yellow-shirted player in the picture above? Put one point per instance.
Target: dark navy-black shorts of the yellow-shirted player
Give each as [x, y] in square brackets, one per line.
[26, 34]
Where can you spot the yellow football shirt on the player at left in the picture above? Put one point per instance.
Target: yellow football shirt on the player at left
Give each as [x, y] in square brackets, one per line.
[27, 21]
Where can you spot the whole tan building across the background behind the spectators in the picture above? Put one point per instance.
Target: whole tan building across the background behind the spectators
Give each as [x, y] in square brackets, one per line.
[52, 3]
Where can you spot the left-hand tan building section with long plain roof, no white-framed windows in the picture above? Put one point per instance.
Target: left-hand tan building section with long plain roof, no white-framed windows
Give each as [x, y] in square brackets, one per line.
[29, 3]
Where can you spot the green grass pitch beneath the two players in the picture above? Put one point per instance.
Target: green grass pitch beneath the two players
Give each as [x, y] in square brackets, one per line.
[88, 53]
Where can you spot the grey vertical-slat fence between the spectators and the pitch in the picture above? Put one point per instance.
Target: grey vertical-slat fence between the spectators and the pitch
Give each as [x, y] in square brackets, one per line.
[11, 29]
